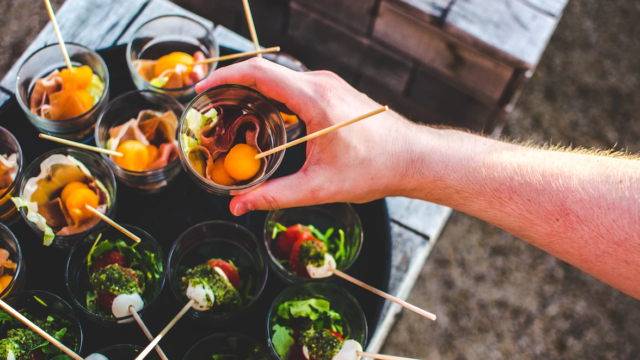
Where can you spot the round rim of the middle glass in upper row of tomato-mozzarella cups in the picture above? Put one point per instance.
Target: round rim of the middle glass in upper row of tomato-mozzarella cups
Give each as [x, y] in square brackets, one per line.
[177, 294]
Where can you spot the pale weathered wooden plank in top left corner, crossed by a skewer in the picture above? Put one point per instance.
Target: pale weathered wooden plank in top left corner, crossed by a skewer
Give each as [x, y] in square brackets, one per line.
[93, 23]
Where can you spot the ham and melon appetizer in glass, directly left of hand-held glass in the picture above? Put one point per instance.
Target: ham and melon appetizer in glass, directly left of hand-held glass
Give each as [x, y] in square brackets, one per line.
[142, 126]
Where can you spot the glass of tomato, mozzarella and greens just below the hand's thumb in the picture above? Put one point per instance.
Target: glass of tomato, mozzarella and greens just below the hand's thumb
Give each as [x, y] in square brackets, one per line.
[307, 243]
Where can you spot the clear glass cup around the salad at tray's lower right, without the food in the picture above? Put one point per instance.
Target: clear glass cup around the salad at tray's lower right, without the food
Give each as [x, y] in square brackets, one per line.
[354, 324]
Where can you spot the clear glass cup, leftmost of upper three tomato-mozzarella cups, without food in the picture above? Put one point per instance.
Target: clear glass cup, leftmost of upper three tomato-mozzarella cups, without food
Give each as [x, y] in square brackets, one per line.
[77, 278]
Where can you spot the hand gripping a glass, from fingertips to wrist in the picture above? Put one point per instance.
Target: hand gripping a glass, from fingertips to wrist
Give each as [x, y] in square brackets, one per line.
[358, 163]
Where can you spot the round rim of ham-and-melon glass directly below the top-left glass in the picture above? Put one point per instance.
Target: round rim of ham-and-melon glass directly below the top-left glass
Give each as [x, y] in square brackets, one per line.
[39, 160]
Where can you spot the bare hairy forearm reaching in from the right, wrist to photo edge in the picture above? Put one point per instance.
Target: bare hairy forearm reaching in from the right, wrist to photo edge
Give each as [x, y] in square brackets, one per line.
[583, 209]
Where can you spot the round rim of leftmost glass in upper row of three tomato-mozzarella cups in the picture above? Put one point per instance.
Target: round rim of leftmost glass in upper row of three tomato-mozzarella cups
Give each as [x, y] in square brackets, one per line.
[117, 320]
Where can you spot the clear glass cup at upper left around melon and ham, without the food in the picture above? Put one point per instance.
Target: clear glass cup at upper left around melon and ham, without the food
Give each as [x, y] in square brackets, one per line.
[43, 62]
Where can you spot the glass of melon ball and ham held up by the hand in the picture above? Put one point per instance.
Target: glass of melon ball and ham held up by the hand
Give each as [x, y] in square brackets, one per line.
[222, 131]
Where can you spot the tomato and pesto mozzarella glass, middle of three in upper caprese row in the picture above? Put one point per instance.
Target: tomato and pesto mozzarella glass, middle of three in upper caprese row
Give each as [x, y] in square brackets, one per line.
[218, 265]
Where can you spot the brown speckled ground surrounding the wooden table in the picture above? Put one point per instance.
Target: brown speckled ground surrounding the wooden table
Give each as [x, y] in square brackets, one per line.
[496, 296]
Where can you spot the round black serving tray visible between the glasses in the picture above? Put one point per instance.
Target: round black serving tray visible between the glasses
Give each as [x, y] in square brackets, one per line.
[165, 216]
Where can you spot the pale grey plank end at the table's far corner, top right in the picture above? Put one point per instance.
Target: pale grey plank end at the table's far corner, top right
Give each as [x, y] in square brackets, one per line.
[511, 26]
